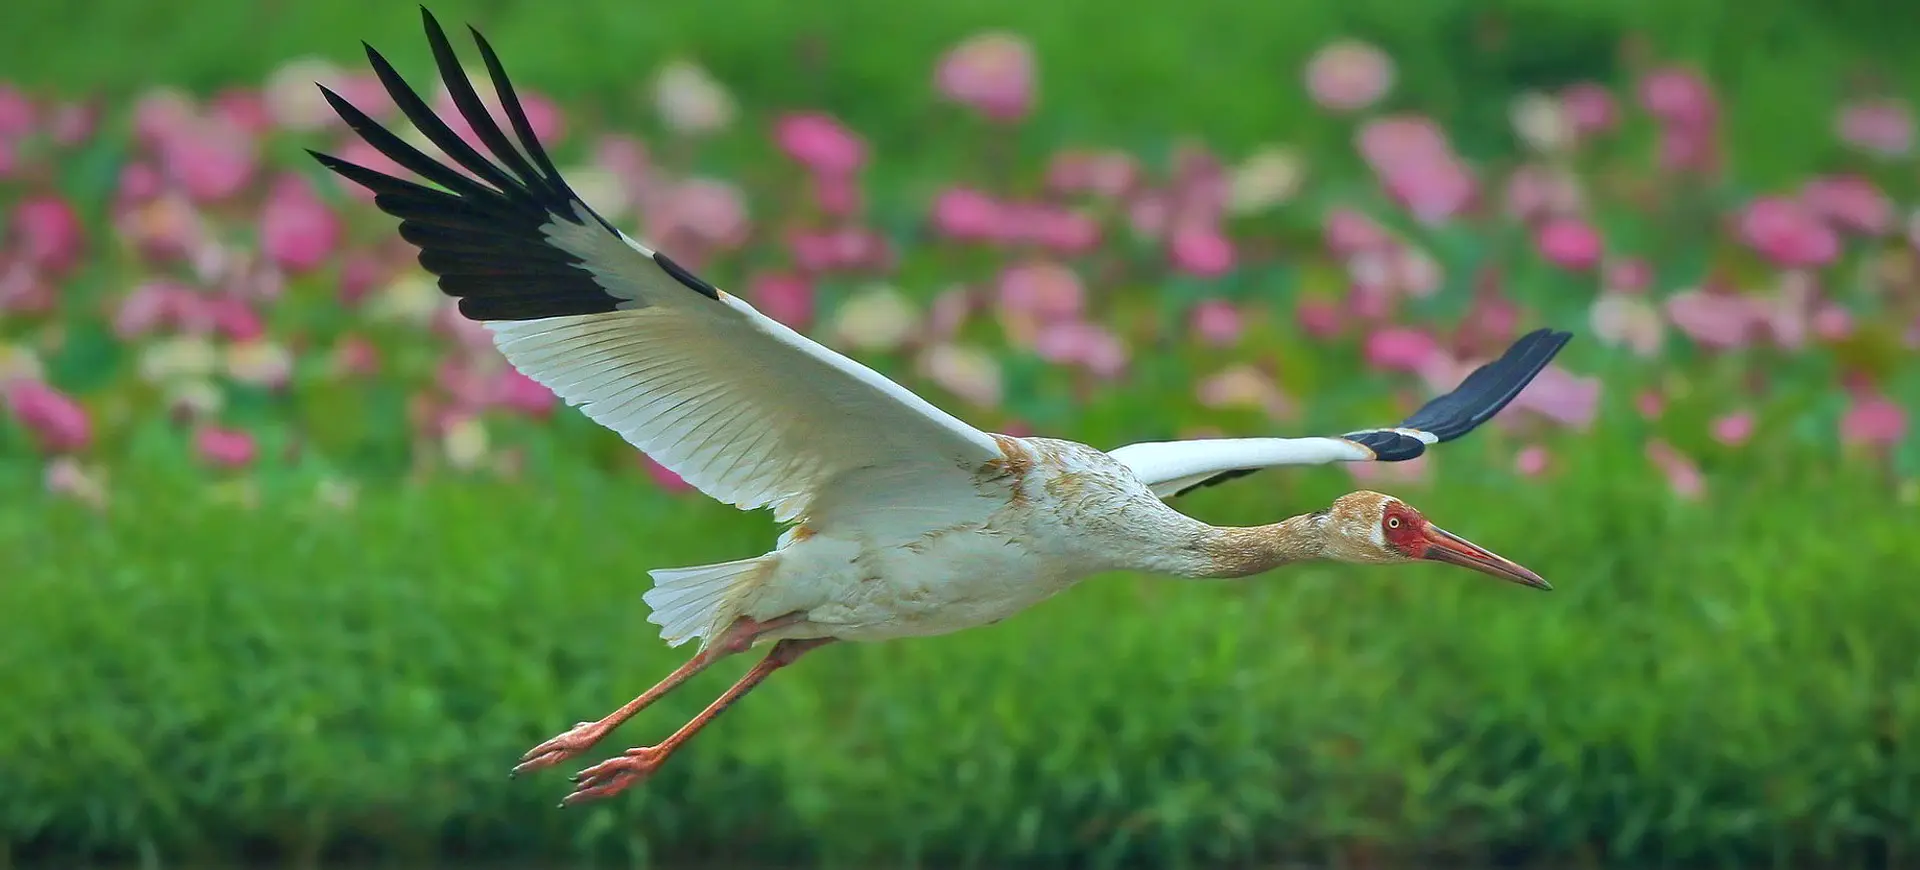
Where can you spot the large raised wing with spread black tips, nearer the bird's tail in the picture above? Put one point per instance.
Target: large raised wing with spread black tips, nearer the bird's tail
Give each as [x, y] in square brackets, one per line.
[731, 400]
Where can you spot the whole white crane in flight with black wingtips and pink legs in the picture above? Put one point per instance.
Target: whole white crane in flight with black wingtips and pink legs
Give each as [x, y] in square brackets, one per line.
[903, 521]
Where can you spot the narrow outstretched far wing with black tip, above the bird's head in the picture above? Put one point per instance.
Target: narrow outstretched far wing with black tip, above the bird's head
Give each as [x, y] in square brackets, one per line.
[1178, 468]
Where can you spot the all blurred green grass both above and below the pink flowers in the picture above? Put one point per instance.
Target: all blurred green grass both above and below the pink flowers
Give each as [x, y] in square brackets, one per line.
[1725, 685]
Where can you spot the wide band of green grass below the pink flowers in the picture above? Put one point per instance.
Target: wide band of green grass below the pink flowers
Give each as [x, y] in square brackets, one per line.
[1712, 683]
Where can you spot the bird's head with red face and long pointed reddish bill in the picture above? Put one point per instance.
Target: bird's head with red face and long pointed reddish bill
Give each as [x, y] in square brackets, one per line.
[1374, 529]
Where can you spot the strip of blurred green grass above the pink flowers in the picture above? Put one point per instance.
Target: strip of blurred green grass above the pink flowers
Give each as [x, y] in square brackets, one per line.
[1132, 72]
